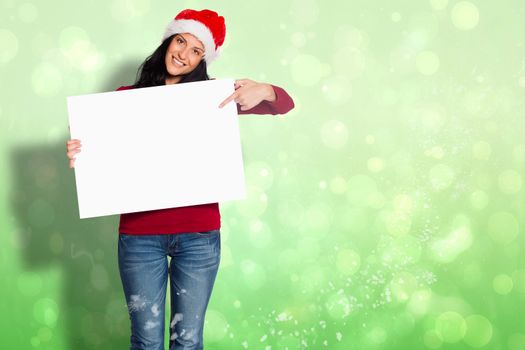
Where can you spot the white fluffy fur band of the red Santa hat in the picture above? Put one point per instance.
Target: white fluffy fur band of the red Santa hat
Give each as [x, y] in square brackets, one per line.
[199, 30]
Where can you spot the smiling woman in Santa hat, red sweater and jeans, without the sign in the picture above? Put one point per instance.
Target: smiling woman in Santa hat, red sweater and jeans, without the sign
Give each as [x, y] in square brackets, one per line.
[189, 235]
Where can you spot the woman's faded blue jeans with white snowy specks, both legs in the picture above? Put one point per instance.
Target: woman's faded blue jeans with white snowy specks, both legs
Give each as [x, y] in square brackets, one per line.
[143, 265]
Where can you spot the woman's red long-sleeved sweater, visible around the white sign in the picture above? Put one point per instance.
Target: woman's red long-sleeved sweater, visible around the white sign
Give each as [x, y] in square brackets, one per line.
[195, 218]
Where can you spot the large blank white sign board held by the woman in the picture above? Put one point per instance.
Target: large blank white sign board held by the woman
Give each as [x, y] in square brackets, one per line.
[157, 147]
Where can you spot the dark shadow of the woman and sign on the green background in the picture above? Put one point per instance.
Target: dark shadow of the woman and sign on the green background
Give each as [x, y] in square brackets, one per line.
[92, 308]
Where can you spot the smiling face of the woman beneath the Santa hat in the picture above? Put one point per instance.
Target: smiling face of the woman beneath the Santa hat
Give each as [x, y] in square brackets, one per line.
[182, 56]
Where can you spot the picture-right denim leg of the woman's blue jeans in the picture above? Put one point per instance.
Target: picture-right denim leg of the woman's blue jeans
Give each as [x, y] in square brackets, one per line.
[193, 268]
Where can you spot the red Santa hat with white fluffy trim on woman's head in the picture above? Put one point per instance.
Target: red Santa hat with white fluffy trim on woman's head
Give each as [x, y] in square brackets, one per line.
[206, 25]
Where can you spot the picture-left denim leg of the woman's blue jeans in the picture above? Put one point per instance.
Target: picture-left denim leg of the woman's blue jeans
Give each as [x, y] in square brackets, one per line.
[144, 271]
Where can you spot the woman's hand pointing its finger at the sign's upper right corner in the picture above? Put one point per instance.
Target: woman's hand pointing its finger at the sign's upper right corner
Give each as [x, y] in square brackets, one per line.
[249, 93]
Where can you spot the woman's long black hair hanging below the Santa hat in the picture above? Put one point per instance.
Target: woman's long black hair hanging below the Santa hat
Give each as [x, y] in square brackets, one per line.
[152, 72]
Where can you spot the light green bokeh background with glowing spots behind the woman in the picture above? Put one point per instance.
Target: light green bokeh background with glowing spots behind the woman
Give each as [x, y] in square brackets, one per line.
[386, 211]
